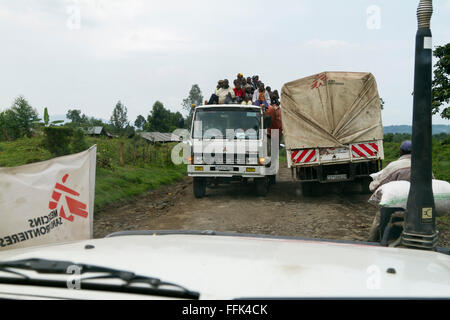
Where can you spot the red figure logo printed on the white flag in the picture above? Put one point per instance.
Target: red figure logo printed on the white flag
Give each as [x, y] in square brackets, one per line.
[64, 199]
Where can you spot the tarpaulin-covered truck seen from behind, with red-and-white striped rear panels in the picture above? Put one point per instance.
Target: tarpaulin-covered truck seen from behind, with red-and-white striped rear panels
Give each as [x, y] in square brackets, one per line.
[332, 128]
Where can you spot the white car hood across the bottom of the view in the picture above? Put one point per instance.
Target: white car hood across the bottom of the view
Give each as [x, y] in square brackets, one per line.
[227, 267]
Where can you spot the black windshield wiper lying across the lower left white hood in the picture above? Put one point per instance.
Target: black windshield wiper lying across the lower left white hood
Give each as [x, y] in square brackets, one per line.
[60, 267]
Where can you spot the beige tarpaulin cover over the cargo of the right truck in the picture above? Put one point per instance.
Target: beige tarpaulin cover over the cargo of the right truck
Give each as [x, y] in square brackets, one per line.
[331, 109]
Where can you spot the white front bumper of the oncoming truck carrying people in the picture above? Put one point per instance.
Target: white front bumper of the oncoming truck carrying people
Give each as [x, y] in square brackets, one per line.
[199, 170]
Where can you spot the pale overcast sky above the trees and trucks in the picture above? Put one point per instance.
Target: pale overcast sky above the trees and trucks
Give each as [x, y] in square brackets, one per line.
[88, 54]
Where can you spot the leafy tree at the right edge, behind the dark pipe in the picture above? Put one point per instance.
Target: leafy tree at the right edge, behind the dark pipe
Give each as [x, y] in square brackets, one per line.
[441, 82]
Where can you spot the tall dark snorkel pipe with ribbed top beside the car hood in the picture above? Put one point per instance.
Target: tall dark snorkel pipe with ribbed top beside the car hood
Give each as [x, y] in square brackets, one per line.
[420, 225]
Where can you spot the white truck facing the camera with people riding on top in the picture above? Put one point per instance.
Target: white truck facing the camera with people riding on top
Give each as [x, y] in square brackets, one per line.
[228, 143]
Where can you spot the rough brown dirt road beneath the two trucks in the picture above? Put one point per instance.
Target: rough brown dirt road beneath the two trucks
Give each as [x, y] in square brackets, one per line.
[339, 212]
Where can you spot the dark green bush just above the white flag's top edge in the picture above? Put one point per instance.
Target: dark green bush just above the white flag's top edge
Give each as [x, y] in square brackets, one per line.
[57, 140]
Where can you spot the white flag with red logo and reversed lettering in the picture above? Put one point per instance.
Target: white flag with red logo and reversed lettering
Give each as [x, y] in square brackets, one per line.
[48, 202]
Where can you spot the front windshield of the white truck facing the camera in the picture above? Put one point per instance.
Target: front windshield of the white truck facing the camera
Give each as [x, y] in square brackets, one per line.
[230, 123]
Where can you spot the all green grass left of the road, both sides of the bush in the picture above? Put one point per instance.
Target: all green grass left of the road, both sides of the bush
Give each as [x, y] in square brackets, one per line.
[143, 166]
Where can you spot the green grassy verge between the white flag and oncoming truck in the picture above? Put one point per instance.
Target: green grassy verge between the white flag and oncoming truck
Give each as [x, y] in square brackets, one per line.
[144, 167]
